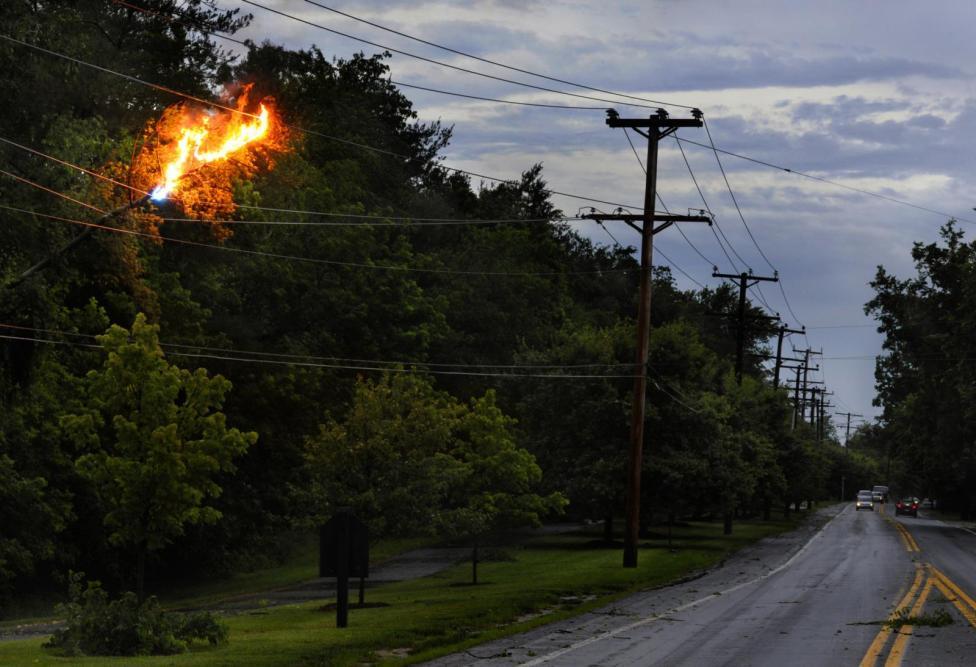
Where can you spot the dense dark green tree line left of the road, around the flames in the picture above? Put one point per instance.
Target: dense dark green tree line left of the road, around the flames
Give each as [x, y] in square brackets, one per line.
[256, 449]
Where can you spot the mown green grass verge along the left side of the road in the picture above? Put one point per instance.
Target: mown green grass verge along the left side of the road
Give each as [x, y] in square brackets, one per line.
[550, 578]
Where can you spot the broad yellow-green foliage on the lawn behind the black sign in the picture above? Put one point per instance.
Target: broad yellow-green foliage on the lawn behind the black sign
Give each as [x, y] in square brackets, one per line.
[411, 459]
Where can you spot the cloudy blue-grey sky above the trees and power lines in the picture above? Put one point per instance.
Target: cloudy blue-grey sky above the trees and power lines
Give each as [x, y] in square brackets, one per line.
[875, 95]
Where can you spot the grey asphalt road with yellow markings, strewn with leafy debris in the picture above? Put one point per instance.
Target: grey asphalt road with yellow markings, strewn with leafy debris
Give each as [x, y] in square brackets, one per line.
[823, 601]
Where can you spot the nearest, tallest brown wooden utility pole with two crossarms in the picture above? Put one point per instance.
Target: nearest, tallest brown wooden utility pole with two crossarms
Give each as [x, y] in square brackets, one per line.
[654, 128]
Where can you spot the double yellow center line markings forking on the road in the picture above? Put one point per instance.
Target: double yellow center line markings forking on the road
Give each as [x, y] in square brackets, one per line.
[927, 576]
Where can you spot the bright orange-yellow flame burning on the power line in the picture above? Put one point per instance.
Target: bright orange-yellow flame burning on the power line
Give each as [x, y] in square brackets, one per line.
[210, 140]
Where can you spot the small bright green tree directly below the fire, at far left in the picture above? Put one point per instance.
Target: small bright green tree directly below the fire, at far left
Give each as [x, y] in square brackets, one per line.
[153, 439]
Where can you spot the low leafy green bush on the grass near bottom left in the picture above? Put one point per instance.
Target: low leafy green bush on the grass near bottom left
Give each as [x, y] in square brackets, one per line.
[95, 625]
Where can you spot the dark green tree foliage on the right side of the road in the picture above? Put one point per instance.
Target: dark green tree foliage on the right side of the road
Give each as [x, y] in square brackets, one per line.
[924, 383]
